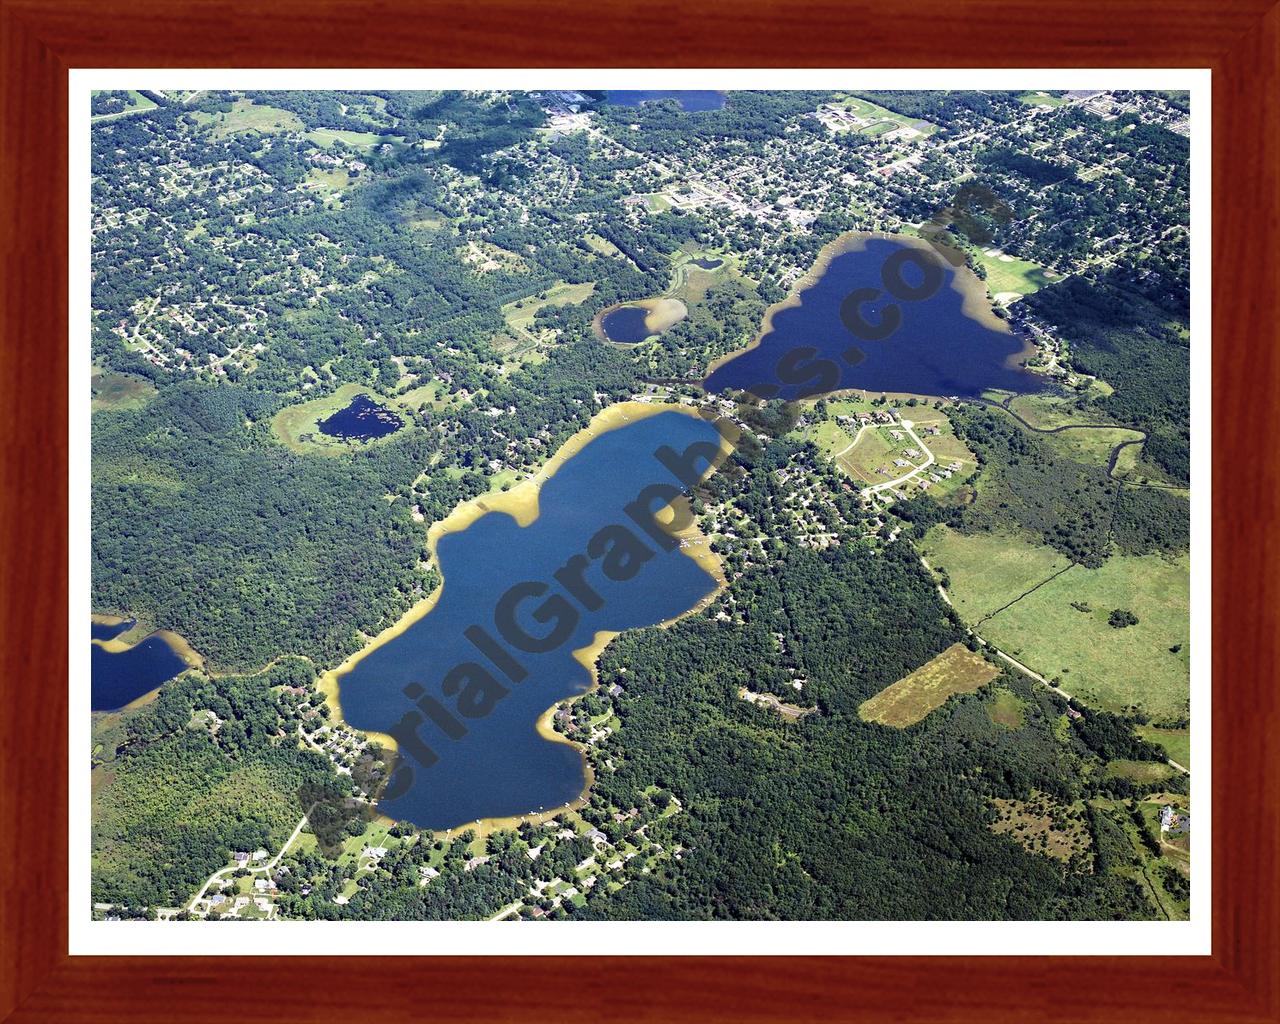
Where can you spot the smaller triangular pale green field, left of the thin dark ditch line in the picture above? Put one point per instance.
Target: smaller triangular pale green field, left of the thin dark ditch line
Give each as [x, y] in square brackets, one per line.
[988, 572]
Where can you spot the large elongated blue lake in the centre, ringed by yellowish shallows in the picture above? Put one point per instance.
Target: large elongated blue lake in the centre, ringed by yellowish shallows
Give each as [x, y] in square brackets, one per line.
[502, 766]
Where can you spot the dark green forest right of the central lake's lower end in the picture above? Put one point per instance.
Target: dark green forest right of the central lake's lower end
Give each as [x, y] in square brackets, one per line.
[834, 817]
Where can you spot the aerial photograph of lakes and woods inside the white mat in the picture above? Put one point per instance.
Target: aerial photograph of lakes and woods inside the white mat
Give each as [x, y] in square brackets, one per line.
[569, 505]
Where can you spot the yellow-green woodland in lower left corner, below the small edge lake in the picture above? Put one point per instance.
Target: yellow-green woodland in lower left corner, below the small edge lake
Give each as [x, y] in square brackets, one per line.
[177, 792]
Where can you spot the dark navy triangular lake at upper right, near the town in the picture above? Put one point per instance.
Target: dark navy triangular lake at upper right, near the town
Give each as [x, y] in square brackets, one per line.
[935, 350]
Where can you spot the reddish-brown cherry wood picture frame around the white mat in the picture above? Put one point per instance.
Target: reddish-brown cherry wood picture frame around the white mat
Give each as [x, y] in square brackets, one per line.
[42, 39]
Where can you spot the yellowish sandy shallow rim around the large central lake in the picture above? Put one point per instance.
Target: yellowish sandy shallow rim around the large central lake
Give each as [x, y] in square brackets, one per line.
[523, 505]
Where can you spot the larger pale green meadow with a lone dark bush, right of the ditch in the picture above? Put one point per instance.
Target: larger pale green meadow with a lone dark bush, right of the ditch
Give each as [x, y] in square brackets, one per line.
[1062, 632]
